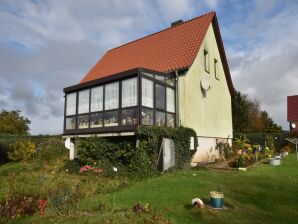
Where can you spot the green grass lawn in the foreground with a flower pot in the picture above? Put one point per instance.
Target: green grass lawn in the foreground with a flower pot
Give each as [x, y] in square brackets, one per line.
[263, 194]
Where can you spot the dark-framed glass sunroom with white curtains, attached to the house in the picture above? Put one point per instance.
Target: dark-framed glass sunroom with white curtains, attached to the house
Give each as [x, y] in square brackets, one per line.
[120, 102]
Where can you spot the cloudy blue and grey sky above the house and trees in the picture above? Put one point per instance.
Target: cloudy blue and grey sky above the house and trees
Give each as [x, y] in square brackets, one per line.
[51, 44]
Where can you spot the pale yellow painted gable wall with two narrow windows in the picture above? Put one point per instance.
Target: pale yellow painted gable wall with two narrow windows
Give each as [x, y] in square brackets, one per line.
[209, 115]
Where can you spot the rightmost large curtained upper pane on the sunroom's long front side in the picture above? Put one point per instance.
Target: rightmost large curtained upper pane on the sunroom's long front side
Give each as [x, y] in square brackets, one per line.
[129, 92]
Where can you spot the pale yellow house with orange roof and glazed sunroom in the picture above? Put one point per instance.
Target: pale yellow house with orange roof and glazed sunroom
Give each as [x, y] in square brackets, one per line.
[176, 77]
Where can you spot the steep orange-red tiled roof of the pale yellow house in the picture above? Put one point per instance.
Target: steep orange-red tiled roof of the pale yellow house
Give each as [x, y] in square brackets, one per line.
[174, 48]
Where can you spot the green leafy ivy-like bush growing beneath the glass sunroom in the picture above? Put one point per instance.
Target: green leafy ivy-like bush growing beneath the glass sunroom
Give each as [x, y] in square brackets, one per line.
[140, 160]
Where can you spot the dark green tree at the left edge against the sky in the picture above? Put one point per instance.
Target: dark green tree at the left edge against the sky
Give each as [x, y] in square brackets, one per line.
[11, 122]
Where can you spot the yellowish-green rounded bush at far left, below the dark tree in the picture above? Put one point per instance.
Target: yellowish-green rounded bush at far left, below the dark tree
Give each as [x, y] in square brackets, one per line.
[21, 151]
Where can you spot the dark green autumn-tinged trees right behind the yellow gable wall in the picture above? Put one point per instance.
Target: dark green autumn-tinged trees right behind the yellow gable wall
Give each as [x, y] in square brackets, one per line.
[248, 117]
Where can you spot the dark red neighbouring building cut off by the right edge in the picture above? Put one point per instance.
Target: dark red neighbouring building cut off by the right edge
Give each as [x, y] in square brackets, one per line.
[293, 112]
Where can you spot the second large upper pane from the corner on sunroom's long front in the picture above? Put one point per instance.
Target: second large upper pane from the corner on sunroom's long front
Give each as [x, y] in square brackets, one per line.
[112, 96]
